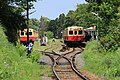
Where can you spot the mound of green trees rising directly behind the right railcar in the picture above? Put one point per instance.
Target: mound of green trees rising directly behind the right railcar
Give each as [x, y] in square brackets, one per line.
[80, 17]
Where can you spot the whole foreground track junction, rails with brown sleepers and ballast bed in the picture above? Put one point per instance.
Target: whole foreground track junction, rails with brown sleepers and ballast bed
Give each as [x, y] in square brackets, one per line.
[63, 64]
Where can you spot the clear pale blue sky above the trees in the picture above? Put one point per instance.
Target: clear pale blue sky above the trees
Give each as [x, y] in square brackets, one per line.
[53, 8]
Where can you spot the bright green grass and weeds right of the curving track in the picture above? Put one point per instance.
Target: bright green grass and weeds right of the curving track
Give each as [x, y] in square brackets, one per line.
[105, 64]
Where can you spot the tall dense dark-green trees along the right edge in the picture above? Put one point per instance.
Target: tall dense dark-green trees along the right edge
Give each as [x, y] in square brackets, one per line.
[109, 27]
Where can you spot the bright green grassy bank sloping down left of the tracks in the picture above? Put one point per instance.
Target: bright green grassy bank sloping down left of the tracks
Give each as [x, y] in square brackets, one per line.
[14, 65]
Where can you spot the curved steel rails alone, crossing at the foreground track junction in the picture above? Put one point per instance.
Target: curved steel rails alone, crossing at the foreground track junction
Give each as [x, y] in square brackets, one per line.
[71, 61]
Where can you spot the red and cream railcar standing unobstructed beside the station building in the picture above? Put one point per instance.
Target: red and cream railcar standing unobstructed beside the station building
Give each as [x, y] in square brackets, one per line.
[73, 35]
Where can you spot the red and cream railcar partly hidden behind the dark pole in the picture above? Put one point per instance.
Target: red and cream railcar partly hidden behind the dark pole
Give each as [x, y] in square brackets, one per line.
[33, 35]
